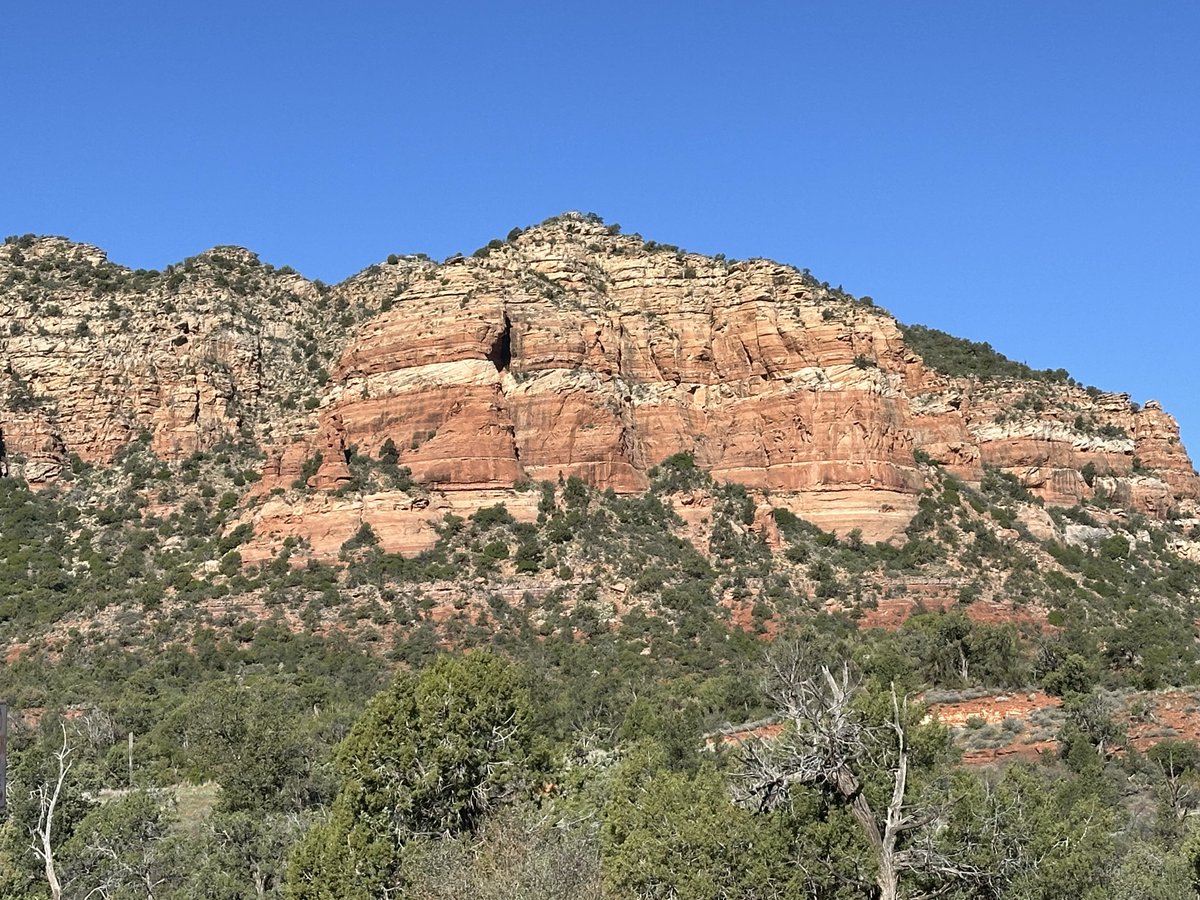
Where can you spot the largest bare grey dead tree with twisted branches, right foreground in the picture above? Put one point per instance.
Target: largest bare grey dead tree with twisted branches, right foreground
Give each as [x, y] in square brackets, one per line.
[826, 747]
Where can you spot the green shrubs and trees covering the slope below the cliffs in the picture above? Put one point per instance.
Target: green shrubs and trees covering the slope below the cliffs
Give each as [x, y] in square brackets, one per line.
[256, 751]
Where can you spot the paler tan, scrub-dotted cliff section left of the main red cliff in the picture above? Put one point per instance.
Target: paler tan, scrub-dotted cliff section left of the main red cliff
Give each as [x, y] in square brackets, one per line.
[218, 350]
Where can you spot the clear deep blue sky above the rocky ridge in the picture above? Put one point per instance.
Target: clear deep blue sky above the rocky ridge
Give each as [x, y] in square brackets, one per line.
[1024, 173]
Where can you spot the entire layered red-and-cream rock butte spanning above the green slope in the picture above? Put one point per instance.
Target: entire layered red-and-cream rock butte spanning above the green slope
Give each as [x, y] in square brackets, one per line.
[565, 351]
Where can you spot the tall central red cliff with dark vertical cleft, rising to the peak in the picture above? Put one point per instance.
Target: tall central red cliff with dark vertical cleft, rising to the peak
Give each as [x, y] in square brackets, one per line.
[574, 352]
